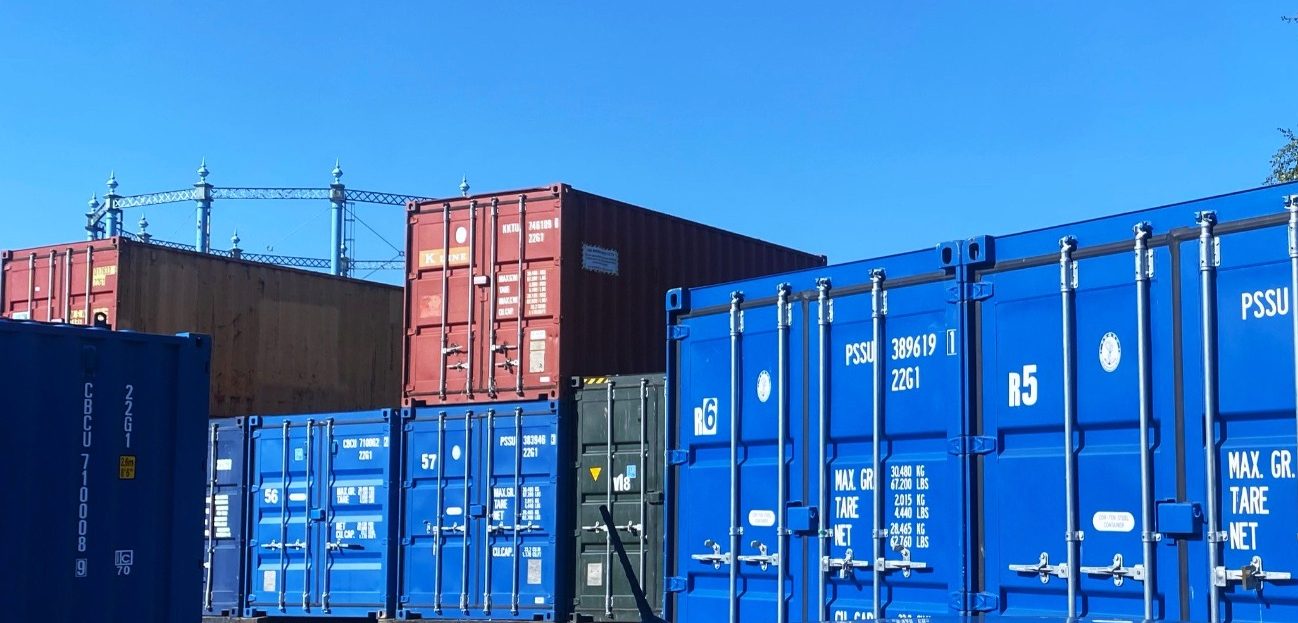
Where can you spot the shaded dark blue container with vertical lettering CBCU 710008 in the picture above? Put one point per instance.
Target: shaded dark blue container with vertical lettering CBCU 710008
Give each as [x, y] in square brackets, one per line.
[103, 439]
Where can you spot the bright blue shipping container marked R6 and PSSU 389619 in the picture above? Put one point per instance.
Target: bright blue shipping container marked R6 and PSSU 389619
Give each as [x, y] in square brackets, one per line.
[812, 481]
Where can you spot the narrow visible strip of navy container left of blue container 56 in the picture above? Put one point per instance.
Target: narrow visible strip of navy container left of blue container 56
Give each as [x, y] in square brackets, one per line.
[227, 520]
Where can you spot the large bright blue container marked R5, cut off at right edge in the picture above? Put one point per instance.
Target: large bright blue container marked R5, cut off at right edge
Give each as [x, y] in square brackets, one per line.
[1165, 342]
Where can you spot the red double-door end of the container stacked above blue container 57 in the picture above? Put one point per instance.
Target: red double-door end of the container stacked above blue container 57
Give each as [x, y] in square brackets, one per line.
[484, 300]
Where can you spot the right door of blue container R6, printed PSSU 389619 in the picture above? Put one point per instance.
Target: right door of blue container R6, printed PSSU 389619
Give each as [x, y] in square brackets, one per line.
[894, 509]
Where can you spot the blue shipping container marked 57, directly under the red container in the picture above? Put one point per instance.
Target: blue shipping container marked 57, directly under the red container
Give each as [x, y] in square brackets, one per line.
[484, 507]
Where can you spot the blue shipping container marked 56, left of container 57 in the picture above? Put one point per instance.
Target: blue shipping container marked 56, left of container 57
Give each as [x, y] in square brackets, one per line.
[320, 503]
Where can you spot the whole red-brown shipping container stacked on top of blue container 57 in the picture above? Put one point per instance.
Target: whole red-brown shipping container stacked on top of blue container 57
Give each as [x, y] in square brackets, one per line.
[502, 311]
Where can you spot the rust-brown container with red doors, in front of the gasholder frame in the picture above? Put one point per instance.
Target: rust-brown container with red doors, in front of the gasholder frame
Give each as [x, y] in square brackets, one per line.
[285, 341]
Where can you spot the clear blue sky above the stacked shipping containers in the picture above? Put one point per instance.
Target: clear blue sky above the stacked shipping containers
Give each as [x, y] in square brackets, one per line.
[850, 129]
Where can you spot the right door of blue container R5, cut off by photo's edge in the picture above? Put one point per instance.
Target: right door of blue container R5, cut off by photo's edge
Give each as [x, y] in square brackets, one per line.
[1247, 474]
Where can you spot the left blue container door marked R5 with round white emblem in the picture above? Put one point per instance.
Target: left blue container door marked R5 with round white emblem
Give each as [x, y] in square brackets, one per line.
[1078, 377]
